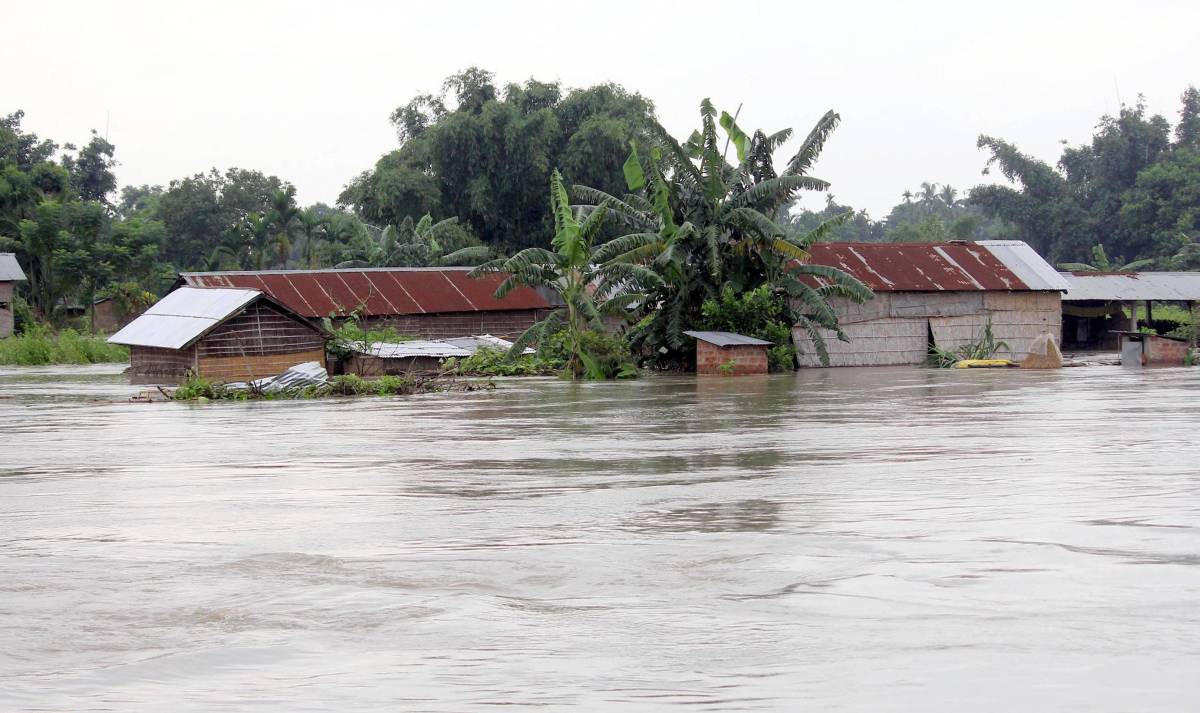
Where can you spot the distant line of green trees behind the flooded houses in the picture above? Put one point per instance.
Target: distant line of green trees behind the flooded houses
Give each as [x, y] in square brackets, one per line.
[467, 183]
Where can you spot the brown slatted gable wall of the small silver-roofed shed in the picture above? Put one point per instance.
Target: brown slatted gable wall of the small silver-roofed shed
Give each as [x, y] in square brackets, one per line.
[259, 343]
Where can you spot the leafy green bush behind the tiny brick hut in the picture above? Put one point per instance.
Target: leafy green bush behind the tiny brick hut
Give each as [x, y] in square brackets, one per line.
[760, 314]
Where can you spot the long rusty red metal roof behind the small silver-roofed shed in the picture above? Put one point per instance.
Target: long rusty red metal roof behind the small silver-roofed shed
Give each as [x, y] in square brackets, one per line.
[376, 292]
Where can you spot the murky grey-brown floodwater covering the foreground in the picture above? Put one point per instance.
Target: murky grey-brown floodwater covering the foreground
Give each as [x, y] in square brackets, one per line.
[874, 541]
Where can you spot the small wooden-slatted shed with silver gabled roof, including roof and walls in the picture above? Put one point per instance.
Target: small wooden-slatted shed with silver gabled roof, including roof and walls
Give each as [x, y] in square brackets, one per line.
[225, 335]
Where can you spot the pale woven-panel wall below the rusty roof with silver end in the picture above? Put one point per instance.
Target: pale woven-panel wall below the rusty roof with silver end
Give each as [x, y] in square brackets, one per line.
[895, 328]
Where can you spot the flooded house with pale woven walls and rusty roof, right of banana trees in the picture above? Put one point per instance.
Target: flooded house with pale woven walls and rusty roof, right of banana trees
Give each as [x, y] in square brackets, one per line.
[940, 295]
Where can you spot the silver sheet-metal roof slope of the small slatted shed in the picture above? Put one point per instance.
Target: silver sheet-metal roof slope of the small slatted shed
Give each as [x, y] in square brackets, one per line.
[183, 317]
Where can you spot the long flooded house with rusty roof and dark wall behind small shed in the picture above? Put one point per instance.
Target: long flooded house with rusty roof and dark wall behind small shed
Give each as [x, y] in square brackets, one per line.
[429, 303]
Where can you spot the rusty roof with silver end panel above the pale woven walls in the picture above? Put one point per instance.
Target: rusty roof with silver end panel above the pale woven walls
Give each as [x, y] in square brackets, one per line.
[945, 267]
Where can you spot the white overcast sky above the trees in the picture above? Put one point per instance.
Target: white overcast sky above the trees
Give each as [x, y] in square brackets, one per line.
[303, 91]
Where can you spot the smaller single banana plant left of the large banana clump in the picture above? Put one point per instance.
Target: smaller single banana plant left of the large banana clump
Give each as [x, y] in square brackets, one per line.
[589, 286]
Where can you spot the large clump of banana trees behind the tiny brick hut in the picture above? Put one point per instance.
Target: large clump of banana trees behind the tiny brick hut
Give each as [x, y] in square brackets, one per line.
[703, 224]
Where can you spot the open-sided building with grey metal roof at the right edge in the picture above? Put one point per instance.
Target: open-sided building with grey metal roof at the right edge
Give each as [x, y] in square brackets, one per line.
[1100, 305]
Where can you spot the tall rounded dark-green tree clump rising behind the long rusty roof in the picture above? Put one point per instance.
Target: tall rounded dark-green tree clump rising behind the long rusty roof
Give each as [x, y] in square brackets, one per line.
[484, 155]
